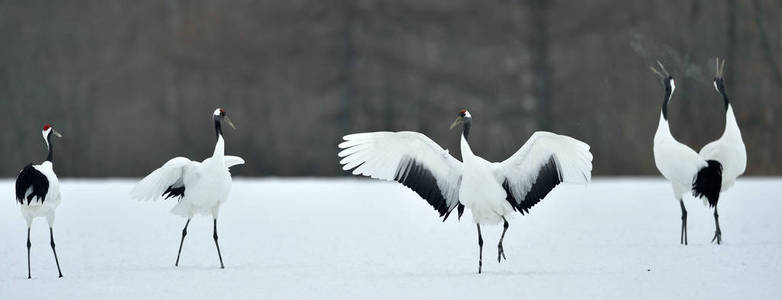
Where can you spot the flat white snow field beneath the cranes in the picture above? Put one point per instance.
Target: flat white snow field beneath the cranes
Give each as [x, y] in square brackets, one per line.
[617, 238]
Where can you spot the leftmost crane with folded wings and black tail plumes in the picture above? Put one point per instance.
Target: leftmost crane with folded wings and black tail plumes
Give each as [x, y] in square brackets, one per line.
[38, 194]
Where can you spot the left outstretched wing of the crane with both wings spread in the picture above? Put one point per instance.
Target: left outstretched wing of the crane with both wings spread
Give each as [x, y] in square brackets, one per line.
[410, 158]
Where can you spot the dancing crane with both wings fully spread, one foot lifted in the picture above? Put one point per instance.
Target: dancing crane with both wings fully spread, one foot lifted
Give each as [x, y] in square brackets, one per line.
[492, 191]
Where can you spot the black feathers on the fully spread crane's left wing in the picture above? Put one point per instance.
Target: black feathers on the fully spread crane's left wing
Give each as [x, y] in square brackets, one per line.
[414, 175]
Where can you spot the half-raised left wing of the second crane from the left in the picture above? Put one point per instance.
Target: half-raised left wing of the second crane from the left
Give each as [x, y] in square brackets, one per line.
[161, 181]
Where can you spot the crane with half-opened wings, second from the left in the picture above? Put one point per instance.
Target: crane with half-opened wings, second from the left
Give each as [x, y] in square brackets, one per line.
[201, 187]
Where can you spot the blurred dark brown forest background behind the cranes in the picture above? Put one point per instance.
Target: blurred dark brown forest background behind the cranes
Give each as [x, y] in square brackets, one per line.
[131, 84]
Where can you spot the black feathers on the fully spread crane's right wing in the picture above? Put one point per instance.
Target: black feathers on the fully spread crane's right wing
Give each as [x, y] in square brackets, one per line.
[549, 176]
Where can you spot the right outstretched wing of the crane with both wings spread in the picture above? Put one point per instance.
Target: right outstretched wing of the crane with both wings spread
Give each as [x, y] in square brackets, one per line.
[545, 160]
